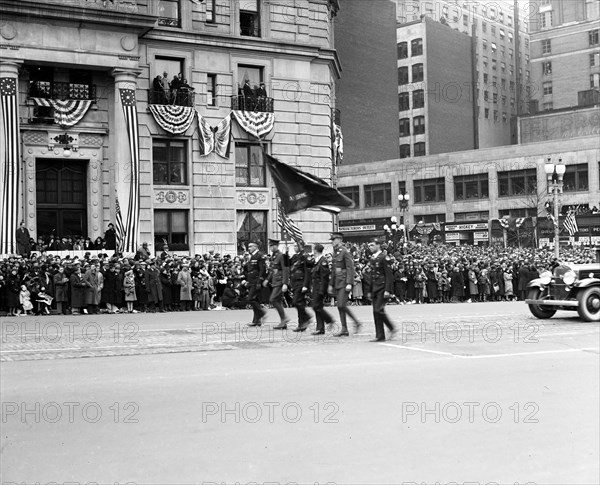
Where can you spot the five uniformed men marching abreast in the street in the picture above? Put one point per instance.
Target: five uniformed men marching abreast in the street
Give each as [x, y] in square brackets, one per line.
[308, 274]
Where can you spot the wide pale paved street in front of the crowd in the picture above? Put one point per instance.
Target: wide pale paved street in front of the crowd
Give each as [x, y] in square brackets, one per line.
[465, 393]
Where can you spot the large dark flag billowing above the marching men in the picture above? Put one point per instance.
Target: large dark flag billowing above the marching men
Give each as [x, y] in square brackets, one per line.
[301, 190]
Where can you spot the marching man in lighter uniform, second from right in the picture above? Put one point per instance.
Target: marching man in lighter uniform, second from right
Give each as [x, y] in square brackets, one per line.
[342, 281]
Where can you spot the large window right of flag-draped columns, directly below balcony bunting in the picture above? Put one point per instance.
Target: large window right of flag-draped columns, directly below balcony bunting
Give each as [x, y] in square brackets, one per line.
[169, 162]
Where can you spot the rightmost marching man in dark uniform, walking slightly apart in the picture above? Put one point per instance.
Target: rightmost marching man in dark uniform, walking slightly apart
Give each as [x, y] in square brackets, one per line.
[380, 288]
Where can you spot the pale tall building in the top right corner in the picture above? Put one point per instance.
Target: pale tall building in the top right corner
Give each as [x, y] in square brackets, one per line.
[565, 53]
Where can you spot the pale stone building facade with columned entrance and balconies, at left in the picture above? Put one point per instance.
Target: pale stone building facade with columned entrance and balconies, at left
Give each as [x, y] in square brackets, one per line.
[69, 50]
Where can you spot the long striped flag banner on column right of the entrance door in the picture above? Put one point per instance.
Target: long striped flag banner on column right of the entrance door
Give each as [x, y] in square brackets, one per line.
[133, 206]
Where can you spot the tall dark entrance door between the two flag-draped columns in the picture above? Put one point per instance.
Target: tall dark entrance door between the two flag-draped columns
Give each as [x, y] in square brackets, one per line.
[61, 197]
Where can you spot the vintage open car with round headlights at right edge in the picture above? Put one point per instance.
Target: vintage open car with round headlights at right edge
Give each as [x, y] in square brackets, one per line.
[571, 287]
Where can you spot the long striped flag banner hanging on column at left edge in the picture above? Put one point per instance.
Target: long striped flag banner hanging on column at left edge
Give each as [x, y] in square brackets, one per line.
[9, 181]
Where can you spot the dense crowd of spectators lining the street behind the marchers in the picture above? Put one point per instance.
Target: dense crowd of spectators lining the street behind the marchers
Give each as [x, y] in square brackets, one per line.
[43, 283]
